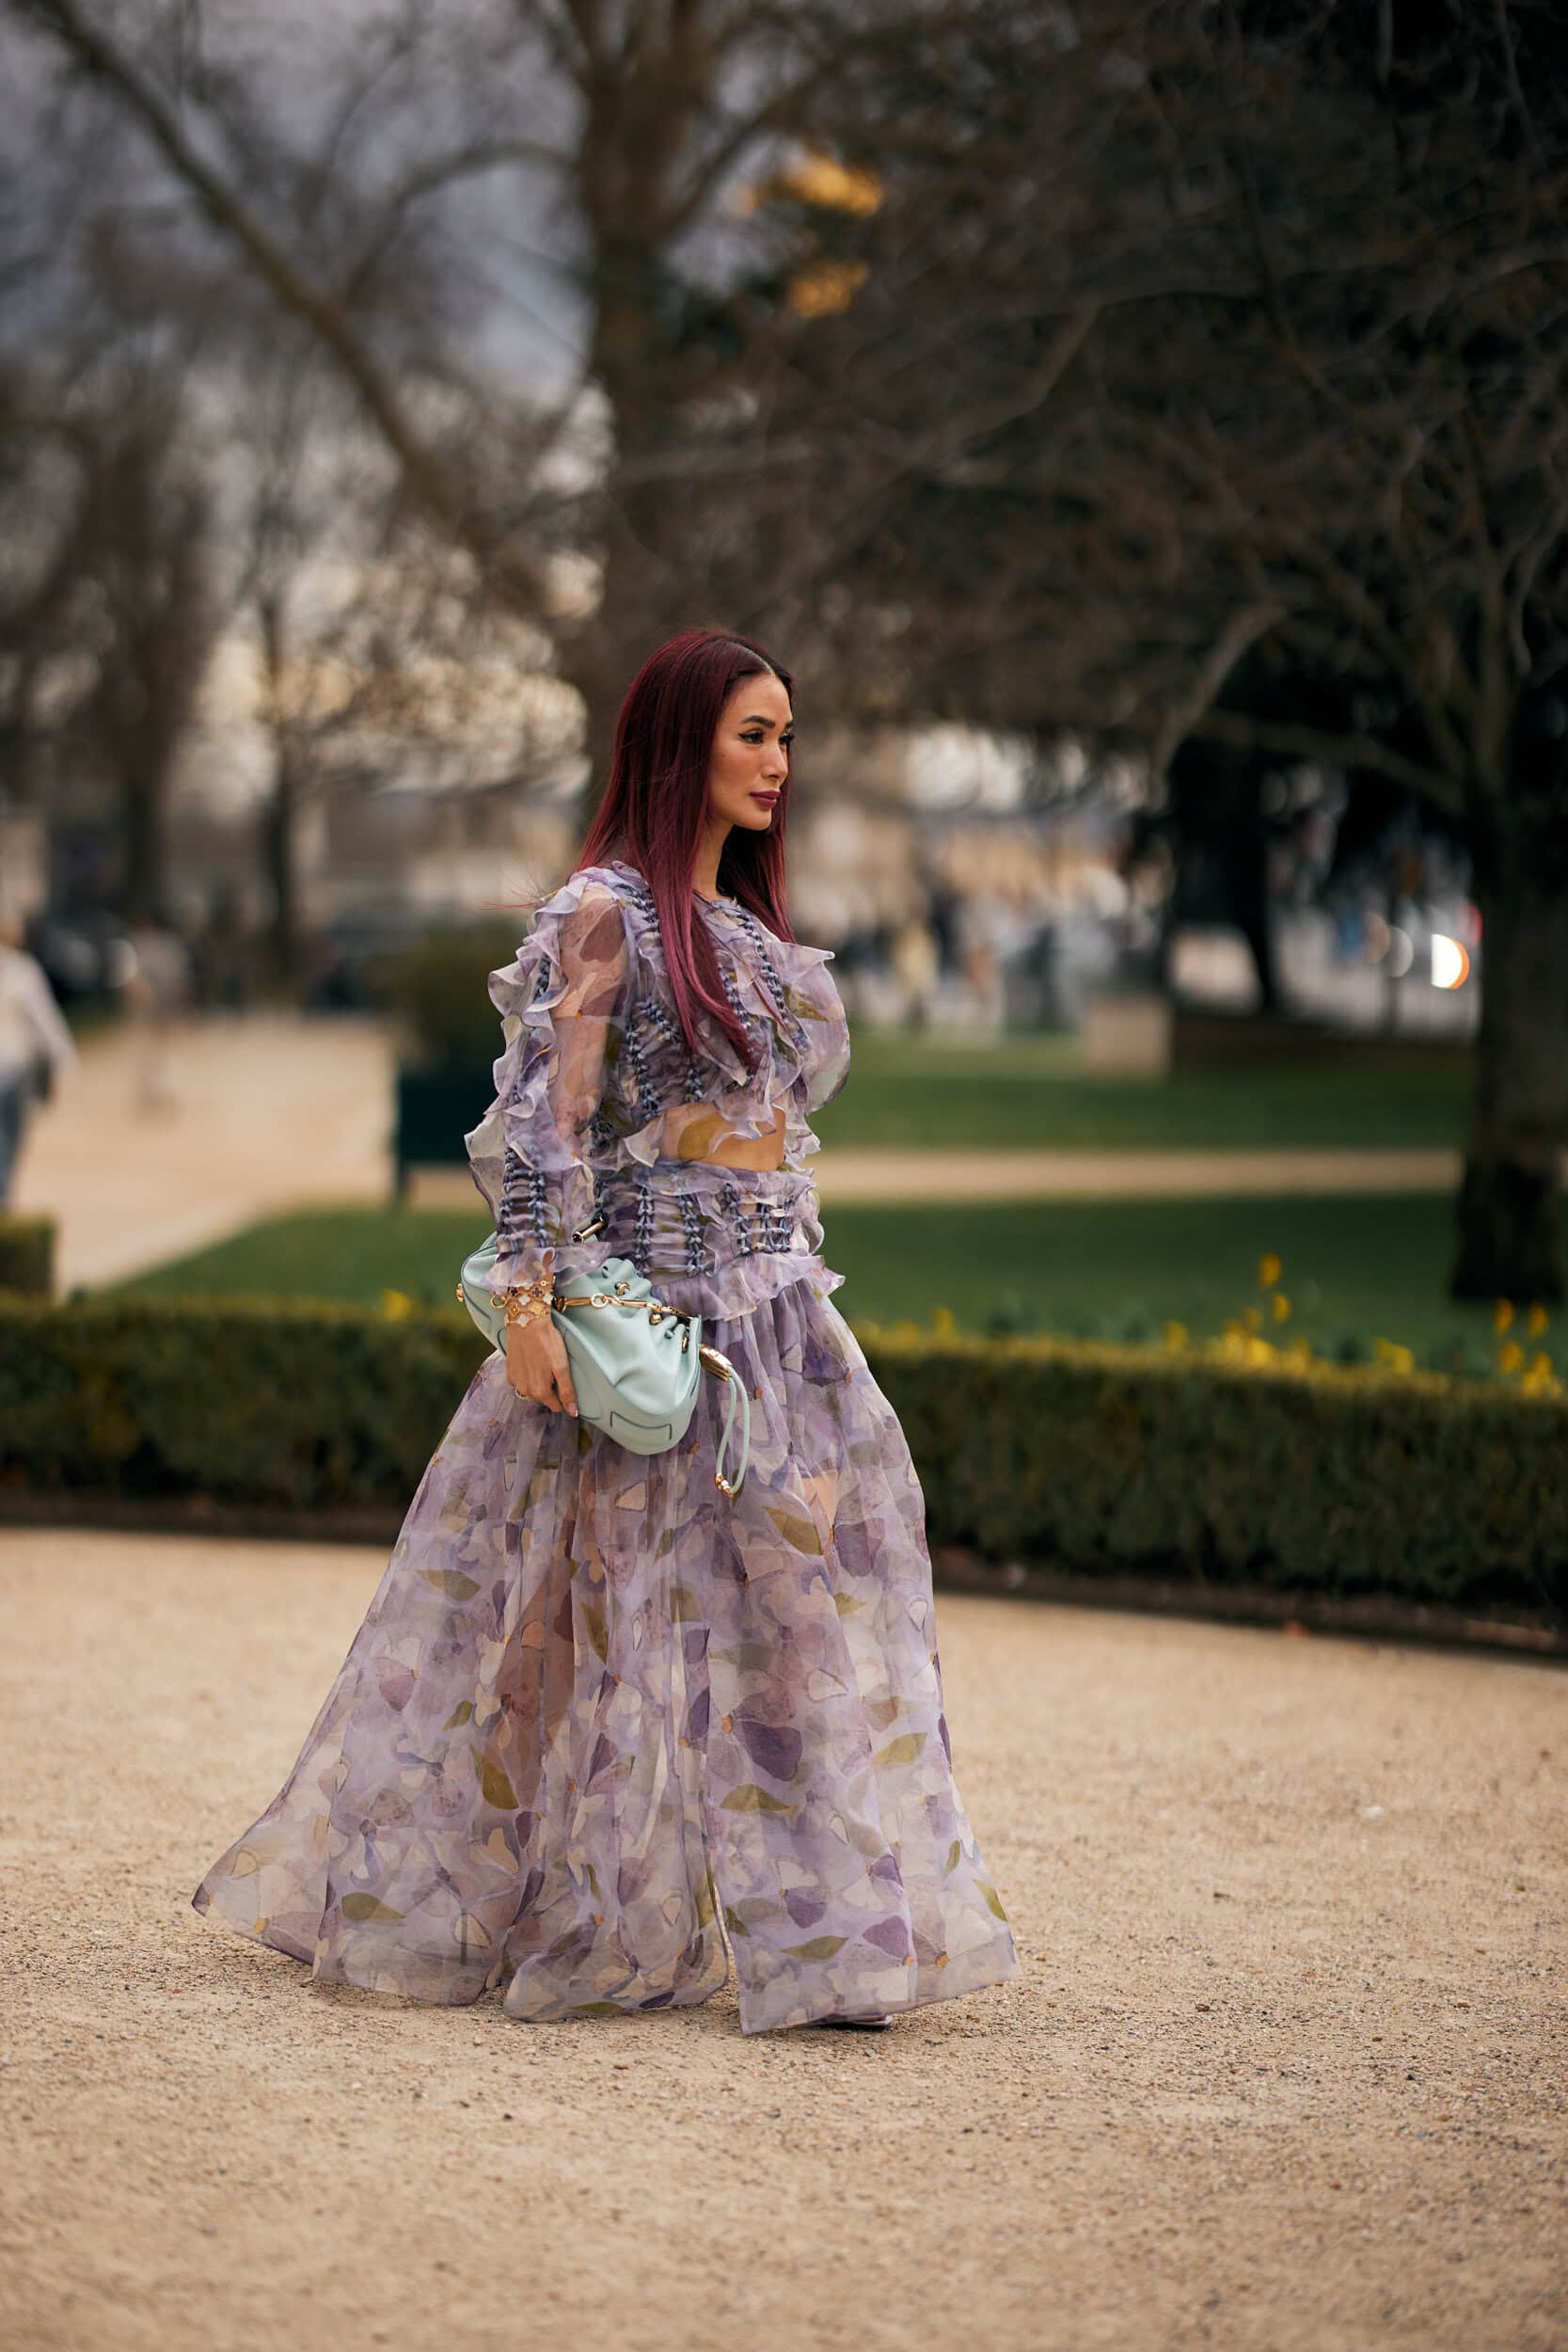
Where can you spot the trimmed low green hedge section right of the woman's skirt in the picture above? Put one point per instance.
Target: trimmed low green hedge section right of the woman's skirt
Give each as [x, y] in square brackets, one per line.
[1329, 1481]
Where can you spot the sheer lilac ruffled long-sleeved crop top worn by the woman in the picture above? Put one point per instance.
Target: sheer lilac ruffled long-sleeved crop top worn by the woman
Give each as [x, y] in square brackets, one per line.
[596, 1081]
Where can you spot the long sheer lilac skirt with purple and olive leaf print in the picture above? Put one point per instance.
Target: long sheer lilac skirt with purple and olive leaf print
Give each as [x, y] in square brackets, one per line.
[605, 1730]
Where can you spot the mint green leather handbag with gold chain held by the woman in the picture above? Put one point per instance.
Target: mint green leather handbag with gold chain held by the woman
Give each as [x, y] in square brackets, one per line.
[636, 1363]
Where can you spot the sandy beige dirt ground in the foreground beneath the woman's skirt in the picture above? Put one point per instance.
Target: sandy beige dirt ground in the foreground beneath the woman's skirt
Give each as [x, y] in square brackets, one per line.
[1287, 2064]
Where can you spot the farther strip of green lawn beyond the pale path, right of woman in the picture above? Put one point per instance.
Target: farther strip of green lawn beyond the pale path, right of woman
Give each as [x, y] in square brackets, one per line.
[1028, 1090]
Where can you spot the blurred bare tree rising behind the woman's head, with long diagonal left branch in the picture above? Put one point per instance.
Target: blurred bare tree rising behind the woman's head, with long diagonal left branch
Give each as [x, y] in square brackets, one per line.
[645, 121]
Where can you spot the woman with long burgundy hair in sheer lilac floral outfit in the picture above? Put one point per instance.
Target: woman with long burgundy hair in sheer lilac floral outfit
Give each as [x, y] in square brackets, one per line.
[608, 1728]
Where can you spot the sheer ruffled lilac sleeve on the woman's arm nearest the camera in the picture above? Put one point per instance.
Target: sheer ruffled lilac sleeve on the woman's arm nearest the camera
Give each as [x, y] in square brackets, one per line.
[563, 1015]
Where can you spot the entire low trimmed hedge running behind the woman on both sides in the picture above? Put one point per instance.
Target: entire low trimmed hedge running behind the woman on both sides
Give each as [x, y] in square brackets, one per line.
[1071, 1455]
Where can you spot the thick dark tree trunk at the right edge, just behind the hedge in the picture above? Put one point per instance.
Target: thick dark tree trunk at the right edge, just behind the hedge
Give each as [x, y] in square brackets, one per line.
[1510, 1217]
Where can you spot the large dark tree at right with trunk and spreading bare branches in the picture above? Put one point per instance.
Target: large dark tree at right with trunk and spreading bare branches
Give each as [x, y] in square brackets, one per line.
[1304, 490]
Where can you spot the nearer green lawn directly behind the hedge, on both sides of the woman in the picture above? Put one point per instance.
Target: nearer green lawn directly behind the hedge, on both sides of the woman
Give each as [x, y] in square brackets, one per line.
[1355, 1267]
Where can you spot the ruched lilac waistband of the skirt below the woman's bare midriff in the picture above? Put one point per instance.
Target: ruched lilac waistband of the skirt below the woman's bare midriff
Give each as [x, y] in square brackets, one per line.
[713, 1241]
